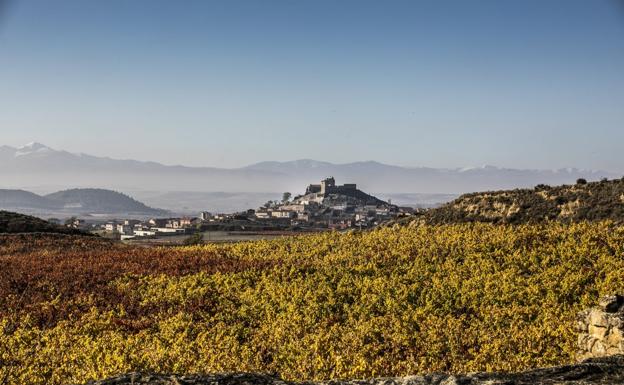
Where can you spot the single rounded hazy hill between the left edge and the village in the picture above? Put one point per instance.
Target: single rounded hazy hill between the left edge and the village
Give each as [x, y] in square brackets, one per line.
[101, 201]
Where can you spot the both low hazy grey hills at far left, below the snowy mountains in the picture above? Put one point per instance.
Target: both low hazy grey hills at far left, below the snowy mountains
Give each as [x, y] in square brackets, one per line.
[75, 202]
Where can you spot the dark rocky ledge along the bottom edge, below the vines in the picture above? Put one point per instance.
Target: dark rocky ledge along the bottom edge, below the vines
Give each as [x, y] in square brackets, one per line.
[606, 370]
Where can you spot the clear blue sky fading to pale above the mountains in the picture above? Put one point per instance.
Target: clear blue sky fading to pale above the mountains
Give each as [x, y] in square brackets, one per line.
[521, 84]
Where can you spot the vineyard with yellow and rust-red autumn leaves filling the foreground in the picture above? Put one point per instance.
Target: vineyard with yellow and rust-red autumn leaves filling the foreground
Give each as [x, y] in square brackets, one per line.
[393, 301]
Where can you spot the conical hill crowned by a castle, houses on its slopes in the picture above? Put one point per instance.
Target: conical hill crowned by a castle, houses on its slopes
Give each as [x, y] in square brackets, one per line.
[327, 205]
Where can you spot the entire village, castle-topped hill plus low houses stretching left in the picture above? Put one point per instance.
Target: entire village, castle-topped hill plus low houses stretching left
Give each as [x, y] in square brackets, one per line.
[323, 206]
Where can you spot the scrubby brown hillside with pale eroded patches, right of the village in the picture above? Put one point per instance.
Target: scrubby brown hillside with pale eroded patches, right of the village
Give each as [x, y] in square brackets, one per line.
[583, 201]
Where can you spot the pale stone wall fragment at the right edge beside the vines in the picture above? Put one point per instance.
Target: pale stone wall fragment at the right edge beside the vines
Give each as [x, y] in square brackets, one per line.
[601, 329]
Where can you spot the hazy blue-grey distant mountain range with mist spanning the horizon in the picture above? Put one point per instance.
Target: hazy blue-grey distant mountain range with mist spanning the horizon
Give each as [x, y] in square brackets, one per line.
[36, 167]
